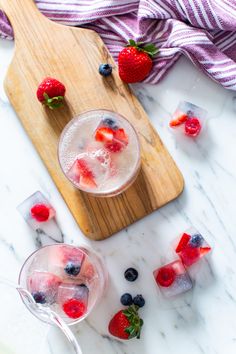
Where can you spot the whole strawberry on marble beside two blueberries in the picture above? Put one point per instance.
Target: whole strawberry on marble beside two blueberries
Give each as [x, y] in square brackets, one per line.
[126, 324]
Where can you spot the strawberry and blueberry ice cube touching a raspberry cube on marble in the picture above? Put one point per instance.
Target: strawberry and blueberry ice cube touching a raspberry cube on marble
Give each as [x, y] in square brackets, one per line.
[191, 247]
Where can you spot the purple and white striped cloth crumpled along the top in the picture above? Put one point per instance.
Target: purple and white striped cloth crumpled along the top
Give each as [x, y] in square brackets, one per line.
[202, 30]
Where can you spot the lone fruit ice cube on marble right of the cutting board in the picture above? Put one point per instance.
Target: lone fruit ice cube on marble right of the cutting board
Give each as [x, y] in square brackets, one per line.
[188, 119]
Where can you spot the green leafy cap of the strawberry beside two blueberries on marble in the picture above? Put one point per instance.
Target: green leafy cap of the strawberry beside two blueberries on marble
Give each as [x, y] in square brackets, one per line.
[134, 330]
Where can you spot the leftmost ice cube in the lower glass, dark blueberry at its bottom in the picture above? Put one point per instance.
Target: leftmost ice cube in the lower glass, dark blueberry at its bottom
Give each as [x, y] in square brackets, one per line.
[43, 286]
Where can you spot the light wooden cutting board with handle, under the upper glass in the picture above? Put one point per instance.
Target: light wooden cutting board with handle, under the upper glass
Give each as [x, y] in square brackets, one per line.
[72, 55]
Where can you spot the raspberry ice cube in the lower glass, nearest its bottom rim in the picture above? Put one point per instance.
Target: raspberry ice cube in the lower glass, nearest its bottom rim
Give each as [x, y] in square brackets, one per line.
[73, 299]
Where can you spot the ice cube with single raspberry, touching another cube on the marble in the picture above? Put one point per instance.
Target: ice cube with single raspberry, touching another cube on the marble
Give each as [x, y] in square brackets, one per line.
[172, 279]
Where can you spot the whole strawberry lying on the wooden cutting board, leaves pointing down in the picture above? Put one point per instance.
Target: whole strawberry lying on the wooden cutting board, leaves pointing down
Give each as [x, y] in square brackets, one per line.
[51, 92]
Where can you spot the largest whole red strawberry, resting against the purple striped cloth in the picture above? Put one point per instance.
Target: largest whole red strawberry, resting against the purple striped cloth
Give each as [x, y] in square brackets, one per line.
[135, 61]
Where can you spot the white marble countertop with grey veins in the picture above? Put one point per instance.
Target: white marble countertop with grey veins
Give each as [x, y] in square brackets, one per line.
[205, 321]
